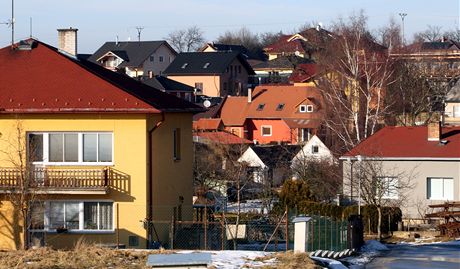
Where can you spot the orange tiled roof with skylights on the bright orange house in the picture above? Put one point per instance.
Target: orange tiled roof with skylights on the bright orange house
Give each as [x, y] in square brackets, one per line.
[279, 102]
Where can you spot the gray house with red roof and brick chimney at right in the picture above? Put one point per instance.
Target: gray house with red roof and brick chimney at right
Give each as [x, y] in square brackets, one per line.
[413, 166]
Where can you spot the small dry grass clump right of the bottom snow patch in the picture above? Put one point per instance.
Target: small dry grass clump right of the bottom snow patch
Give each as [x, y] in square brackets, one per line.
[291, 260]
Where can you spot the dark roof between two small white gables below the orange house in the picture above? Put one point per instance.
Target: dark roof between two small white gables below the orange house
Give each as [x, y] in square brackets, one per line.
[276, 155]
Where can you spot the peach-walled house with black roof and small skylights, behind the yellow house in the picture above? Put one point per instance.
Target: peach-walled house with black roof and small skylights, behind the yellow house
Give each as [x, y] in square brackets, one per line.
[216, 74]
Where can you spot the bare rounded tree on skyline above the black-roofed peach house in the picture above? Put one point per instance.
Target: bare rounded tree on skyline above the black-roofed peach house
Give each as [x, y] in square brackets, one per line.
[186, 40]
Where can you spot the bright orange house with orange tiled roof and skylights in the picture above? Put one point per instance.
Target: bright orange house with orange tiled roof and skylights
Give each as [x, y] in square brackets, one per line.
[274, 114]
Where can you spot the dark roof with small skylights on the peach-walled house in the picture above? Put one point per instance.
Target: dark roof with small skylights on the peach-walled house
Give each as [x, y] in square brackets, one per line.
[198, 63]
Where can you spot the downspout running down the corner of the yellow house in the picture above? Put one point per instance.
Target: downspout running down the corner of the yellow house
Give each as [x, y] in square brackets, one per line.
[150, 184]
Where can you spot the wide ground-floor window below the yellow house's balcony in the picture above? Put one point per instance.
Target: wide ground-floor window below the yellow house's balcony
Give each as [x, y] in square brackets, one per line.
[73, 215]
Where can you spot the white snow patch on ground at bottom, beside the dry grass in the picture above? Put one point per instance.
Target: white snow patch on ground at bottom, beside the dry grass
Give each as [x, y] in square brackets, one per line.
[230, 259]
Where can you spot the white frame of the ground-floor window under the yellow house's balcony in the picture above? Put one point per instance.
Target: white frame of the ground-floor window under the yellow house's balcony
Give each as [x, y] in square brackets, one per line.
[81, 217]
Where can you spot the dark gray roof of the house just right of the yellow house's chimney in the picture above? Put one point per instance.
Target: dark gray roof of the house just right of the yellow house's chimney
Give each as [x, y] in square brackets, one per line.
[133, 52]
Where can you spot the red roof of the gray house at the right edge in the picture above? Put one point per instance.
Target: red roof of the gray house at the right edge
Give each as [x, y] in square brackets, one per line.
[409, 142]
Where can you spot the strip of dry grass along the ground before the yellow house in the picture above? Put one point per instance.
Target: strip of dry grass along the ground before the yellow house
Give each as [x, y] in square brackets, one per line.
[82, 256]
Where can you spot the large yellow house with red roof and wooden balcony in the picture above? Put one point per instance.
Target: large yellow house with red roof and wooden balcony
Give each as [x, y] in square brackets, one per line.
[96, 155]
